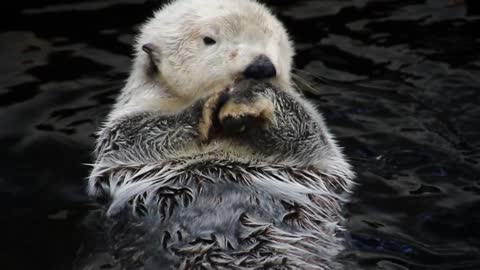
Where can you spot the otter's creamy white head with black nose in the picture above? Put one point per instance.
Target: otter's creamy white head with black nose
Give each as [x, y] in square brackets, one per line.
[192, 48]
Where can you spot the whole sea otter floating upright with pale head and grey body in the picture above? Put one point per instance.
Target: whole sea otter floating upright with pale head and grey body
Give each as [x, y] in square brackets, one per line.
[210, 159]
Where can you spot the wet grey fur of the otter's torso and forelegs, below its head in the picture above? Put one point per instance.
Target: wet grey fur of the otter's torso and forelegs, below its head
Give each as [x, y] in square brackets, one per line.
[266, 199]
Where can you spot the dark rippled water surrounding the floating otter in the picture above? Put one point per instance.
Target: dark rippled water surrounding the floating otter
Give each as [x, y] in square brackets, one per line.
[399, 83]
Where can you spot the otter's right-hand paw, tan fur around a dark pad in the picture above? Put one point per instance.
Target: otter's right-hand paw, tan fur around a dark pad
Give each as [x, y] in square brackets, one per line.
[236, 116]
